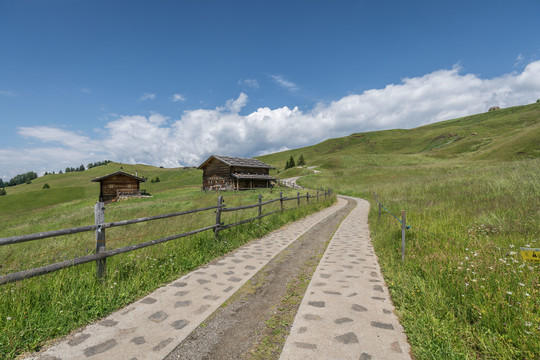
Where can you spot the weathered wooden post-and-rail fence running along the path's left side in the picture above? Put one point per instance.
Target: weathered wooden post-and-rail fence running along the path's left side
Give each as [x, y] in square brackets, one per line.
[101, 254]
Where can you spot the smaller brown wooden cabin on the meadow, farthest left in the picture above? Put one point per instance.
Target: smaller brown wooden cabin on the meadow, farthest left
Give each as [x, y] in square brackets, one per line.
[118, 184]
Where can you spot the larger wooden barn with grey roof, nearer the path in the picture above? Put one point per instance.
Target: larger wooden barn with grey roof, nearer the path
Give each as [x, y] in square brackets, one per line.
[233, 173]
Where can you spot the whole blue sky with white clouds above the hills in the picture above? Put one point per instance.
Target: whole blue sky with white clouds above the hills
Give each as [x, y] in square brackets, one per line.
[169, 83]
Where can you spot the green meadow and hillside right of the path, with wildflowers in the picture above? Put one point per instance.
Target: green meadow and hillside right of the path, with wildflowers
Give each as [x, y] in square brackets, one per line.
[471, 191]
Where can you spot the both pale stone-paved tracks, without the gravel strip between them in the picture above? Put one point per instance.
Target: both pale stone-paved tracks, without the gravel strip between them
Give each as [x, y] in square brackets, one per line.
[345, 314]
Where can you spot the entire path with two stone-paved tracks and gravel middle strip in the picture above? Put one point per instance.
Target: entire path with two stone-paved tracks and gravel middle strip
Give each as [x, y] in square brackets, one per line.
[346, 312]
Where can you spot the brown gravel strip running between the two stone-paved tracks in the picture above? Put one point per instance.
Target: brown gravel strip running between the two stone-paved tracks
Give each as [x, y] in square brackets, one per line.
[235, 329]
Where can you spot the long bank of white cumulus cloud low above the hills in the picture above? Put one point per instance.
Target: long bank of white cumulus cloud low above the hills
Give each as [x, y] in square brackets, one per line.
[161, 140]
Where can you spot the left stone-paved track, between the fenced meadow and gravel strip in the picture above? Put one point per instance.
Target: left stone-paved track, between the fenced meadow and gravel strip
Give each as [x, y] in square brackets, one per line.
[153, 326]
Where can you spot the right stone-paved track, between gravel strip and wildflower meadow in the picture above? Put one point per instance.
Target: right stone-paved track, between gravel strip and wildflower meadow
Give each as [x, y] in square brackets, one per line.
[346, 312]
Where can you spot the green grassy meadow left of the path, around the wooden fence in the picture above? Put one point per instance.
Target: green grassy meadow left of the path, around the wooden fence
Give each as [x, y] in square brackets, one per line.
[36, 310]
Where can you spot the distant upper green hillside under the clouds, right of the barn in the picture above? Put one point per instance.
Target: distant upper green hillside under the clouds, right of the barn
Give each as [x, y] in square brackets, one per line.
[505, 134]
